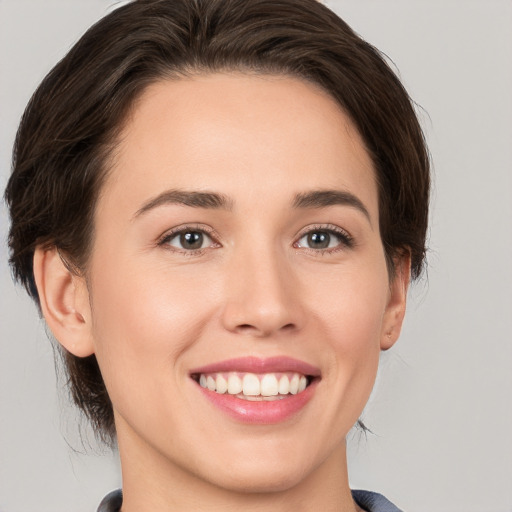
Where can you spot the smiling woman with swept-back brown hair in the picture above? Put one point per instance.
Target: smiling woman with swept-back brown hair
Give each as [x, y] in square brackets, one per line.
[218, 206]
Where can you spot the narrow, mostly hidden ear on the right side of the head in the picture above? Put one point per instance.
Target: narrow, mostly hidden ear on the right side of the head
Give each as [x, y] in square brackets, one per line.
[395, 309]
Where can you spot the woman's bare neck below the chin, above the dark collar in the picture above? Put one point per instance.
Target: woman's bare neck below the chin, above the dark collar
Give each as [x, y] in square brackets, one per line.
[153, 482]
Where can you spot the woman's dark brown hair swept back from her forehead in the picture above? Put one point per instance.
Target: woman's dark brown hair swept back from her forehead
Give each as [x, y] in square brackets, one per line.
[70, 125]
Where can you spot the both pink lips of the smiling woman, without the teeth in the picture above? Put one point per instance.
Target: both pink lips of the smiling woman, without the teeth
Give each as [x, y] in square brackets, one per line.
[261, 412]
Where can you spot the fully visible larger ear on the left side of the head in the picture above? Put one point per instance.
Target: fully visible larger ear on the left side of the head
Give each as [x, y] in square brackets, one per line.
[64, 302]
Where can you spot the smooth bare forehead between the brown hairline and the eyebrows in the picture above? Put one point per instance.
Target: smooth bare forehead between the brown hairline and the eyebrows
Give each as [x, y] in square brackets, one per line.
[242, 135]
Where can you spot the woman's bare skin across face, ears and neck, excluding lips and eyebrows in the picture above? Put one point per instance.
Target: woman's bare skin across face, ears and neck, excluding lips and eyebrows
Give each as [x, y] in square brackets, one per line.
[151, 310]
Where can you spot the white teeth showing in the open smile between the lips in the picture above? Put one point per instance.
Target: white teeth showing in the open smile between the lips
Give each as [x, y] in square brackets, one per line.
[254, 386]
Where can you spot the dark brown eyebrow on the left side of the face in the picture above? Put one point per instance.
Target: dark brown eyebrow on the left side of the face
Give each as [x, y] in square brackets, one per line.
[194, 199]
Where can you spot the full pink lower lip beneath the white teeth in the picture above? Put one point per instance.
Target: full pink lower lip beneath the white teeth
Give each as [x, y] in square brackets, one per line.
[260, 412]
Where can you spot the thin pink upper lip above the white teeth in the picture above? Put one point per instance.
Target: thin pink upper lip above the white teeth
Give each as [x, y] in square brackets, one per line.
[260, 365]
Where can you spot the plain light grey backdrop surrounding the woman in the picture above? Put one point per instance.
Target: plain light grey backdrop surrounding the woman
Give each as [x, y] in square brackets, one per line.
[441, 413]
